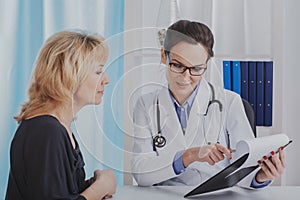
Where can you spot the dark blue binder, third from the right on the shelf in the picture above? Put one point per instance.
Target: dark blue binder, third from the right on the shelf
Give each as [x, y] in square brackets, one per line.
[252, 84]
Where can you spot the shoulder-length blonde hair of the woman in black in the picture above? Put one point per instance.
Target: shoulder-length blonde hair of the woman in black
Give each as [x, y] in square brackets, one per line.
[62, 64]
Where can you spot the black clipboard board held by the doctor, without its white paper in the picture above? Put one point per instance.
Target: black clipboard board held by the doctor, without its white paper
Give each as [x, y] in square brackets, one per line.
[227, 177]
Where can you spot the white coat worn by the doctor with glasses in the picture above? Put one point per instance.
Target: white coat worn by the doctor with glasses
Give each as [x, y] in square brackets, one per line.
[230, 125]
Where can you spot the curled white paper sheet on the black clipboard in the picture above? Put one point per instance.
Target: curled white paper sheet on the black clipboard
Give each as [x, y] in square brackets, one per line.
[259, 147]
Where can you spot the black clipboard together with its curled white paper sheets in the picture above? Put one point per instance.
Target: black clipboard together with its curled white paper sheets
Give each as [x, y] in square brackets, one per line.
[245, 162]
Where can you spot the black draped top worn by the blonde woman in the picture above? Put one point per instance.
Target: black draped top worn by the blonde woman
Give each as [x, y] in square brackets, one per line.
[43, 162]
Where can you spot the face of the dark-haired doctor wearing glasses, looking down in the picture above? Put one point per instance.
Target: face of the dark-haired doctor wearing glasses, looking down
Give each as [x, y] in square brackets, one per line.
[188, 55]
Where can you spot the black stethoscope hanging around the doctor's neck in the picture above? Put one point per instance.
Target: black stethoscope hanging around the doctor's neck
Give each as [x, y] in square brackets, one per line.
[159, 140]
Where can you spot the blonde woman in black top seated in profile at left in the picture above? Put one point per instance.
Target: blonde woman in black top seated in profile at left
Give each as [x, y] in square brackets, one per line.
[45, 159]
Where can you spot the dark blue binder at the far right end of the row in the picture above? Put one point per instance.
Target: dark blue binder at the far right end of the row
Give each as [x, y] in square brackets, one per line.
[268, 93]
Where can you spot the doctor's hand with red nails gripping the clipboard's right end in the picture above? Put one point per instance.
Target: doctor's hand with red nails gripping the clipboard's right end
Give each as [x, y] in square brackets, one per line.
[272, 167]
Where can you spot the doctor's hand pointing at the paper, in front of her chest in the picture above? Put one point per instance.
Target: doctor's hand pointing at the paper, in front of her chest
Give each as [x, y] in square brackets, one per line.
[209, 153]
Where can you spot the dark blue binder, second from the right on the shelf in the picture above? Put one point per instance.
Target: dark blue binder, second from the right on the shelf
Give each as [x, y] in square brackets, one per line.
[260, 93]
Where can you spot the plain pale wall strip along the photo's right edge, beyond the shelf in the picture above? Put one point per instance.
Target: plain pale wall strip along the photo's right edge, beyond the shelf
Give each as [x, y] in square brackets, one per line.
[291, 91]
